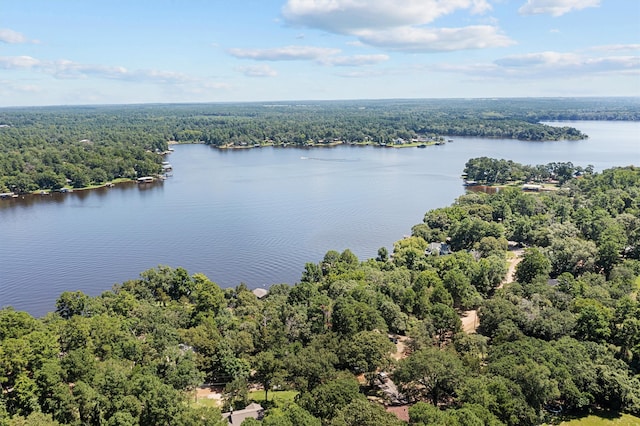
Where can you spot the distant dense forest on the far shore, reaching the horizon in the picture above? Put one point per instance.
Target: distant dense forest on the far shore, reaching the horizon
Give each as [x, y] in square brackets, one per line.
[48, 148]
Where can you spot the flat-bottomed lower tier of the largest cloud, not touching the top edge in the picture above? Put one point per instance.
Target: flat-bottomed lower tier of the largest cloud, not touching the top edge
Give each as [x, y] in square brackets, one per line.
[436, 39]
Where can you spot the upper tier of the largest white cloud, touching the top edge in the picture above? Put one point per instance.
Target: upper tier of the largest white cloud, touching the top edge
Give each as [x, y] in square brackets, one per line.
[346, 16]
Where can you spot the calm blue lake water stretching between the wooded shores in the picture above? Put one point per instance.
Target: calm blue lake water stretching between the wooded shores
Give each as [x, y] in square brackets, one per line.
[255, 216]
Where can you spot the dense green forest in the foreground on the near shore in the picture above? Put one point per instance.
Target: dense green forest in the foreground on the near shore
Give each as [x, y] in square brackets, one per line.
[563, 338]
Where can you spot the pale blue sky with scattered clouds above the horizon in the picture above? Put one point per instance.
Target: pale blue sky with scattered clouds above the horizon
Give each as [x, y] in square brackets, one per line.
[63, 52]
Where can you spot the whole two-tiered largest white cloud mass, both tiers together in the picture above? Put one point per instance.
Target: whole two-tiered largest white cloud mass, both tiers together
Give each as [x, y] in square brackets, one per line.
[387, 25]
